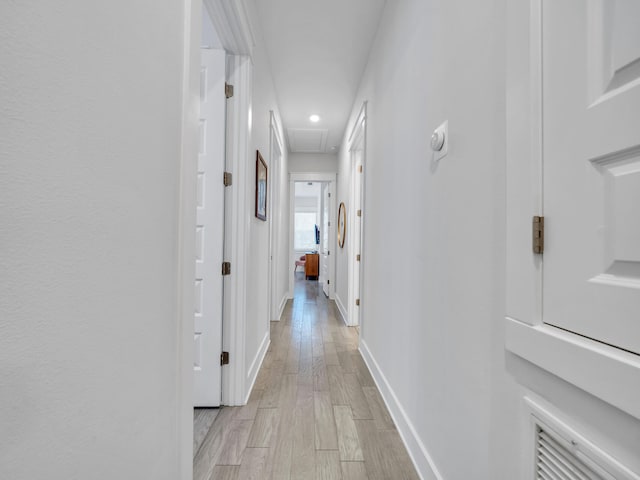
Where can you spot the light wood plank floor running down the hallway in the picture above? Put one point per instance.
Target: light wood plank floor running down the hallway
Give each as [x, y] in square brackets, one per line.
[314, 413]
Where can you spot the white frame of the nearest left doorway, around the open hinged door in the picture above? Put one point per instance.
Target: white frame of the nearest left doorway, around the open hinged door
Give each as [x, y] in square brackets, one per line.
[232, 25]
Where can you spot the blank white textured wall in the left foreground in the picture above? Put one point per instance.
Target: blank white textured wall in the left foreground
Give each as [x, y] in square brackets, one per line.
[90, 148]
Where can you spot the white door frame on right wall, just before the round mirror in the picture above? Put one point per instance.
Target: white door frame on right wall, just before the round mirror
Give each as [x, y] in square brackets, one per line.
[355, 276]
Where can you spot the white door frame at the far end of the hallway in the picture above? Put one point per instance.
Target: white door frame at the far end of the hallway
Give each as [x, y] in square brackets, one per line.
[330, 178]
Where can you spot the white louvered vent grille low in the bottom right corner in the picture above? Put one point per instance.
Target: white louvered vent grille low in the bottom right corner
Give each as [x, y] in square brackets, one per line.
[555, 462]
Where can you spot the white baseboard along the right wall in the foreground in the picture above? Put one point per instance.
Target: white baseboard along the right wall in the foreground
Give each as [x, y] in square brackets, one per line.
[419, 455]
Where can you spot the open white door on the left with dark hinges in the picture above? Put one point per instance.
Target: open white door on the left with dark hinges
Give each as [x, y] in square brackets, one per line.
[209, 232]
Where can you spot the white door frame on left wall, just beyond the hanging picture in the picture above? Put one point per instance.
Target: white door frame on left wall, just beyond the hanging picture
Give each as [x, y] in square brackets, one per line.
[275, 218]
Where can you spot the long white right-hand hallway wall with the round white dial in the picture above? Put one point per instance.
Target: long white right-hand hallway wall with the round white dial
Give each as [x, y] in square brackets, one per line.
[433, 289]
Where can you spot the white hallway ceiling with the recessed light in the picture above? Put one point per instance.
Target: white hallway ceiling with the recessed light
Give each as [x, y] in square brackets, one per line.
[318, 50]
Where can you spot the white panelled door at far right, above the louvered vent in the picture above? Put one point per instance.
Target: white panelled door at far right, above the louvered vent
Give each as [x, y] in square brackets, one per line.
[591, 157]
